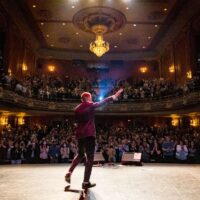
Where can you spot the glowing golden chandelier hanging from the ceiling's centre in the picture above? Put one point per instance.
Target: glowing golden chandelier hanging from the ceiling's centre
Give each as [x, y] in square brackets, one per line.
[99, 47]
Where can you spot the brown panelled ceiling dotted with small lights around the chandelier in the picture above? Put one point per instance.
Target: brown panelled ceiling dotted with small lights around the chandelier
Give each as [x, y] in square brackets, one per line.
[143, 24]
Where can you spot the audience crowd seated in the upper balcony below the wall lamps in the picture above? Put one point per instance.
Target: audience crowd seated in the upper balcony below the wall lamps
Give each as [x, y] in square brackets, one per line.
[55, 88]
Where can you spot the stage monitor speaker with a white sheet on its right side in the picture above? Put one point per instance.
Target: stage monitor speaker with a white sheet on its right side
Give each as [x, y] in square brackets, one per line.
[131, 158]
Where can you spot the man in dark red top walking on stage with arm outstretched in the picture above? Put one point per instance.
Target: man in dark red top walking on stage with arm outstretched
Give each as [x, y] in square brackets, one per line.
[86, 133]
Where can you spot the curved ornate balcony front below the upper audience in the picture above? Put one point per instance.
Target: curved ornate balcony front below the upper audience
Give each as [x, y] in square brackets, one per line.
[189, 103]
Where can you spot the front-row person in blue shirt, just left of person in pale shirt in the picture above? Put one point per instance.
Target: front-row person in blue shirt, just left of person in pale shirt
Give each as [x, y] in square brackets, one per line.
[168, 149]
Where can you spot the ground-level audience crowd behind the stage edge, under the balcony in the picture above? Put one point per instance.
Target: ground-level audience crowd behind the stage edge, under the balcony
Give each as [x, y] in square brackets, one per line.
[57, 143]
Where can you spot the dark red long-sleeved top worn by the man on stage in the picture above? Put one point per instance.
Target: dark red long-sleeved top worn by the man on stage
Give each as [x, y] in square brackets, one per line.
[84, 114]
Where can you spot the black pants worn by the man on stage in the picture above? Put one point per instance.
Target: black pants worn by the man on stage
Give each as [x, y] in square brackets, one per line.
[85, 146]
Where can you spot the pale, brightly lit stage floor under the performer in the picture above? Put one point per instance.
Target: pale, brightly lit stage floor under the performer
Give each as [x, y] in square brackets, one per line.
[149, 182]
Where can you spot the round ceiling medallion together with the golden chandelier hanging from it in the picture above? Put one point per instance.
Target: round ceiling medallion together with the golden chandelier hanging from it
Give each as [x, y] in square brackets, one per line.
[99, 21]
